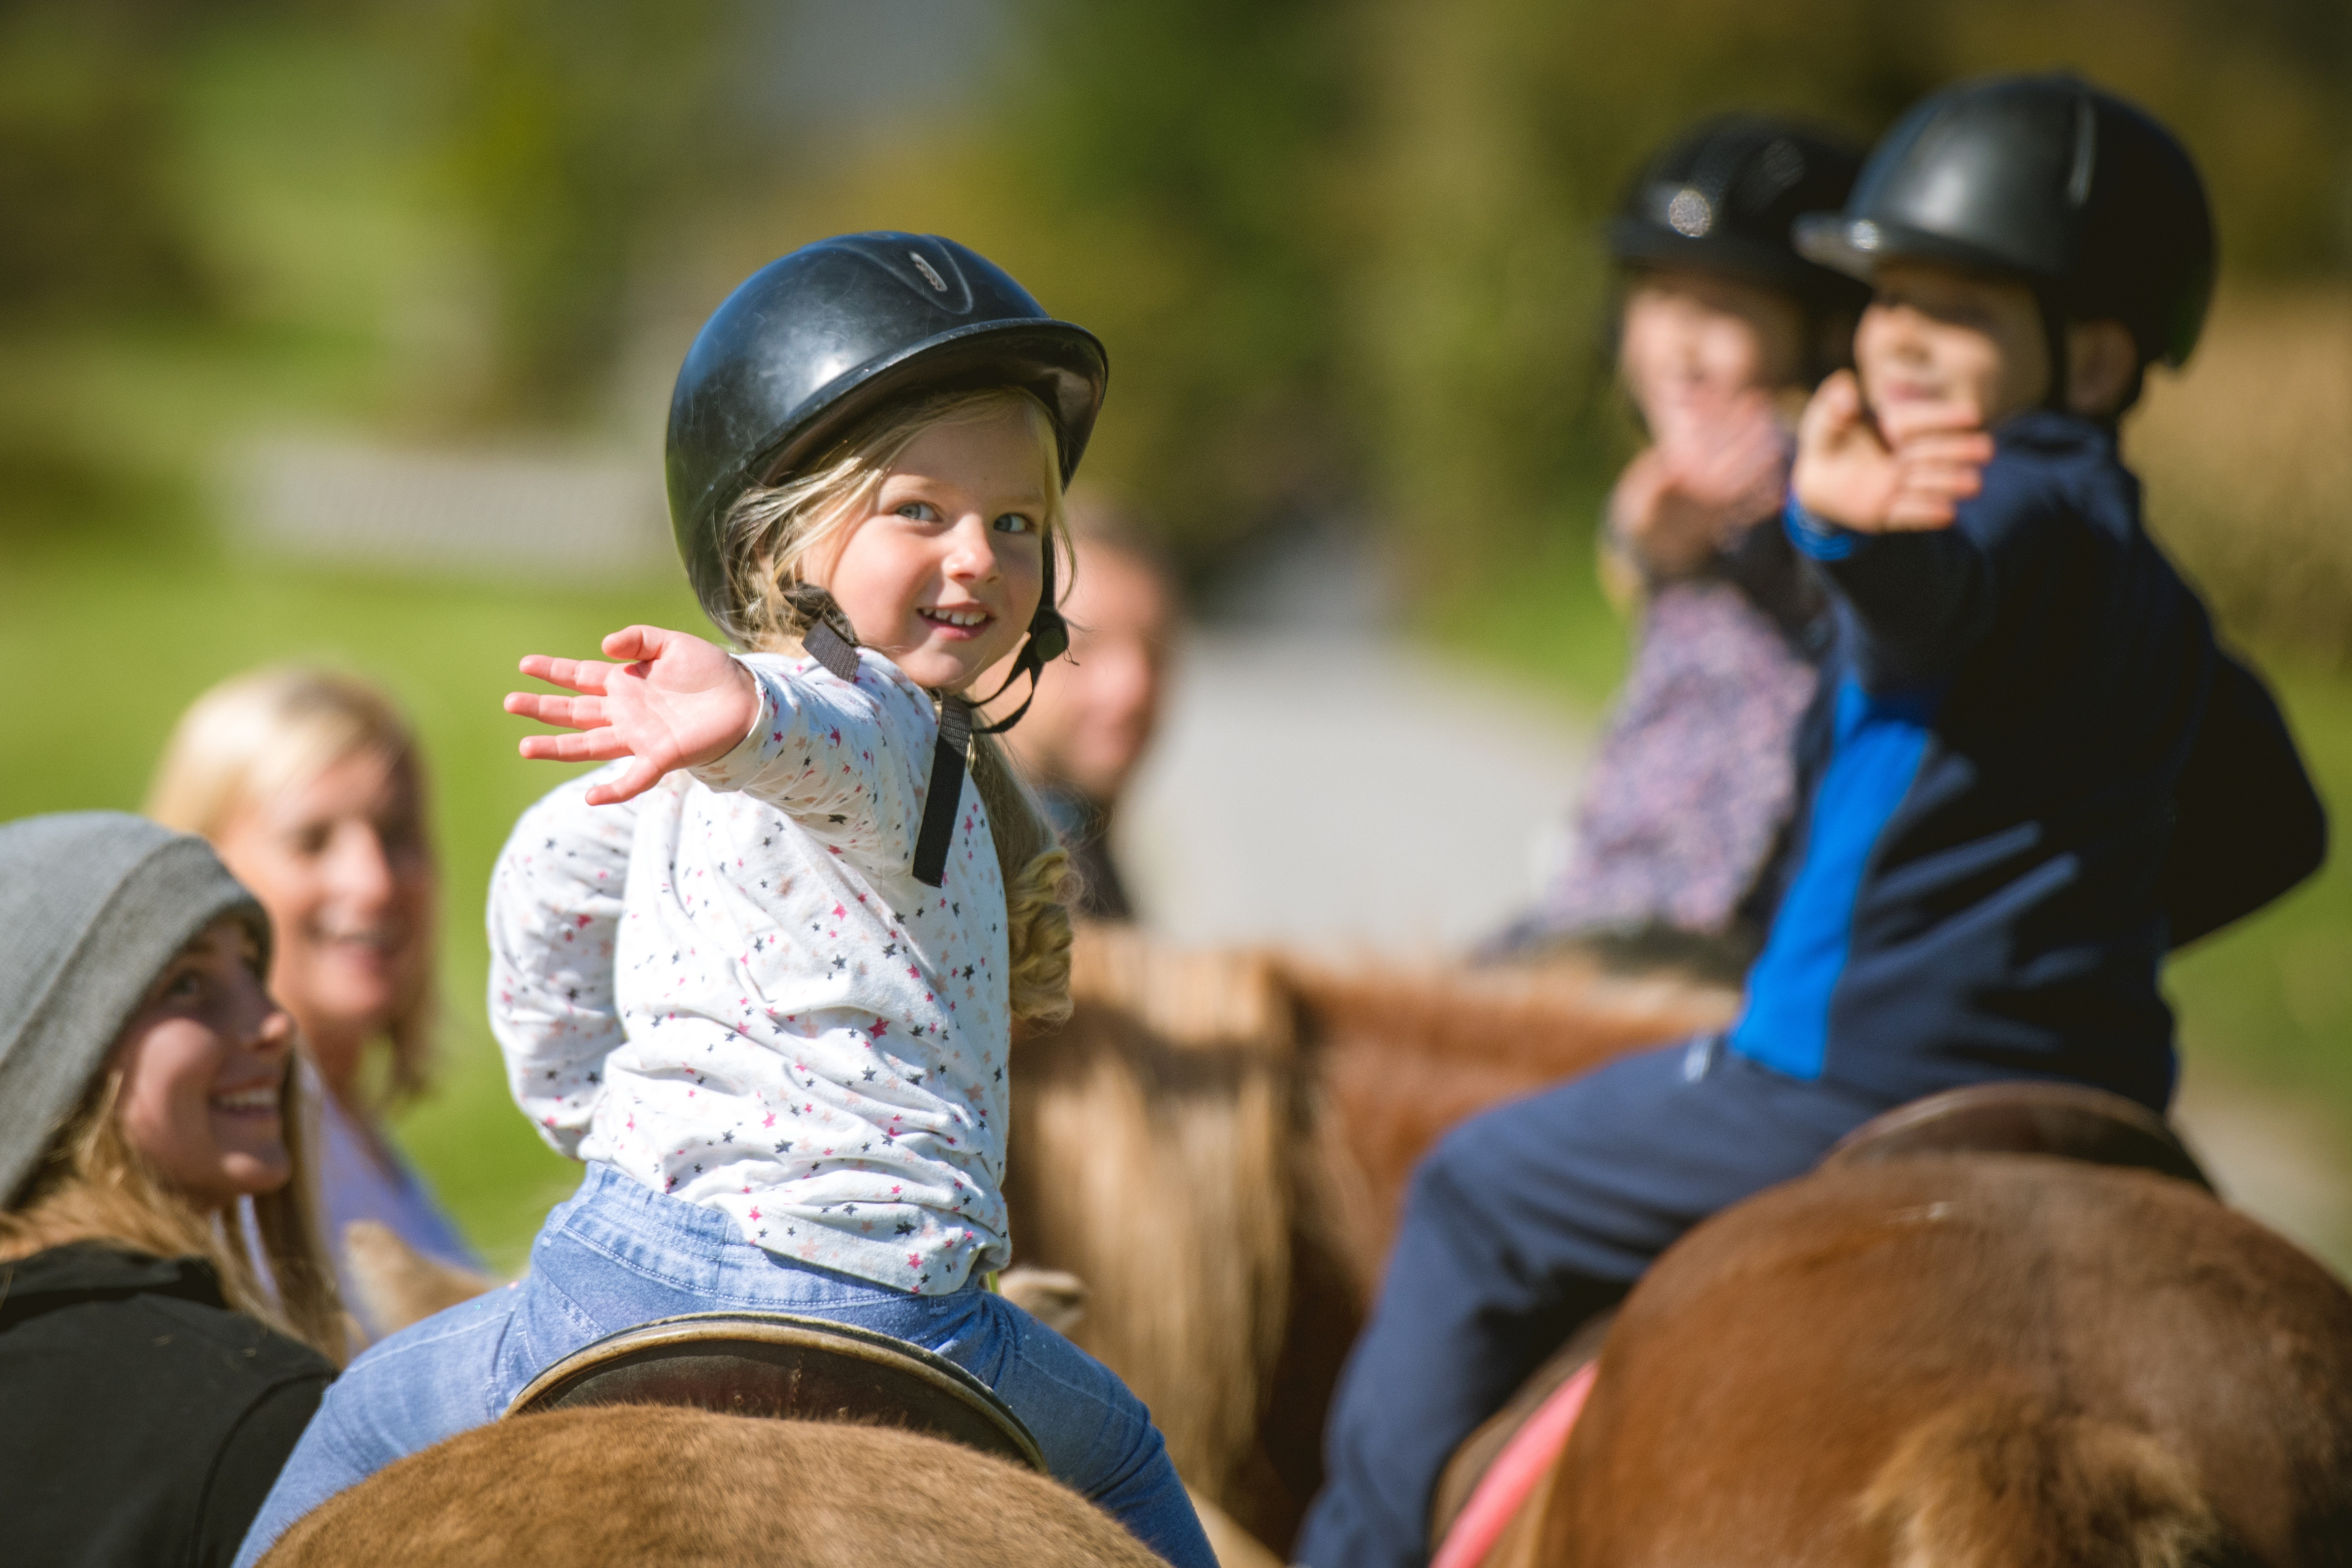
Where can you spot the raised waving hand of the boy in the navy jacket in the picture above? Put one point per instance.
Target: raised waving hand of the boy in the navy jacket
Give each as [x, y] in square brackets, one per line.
[1906, 471]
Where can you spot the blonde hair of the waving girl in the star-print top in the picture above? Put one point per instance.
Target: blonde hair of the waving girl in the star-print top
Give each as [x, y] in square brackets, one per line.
[768, 542]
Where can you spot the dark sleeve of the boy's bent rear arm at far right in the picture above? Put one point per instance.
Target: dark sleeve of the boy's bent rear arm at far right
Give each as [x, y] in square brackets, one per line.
[2247, 824]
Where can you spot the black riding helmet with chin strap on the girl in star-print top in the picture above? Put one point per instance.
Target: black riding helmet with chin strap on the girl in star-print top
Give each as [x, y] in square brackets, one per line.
[815, 344]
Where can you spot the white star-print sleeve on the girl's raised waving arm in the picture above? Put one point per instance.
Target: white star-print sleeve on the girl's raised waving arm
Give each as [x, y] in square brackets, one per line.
[846, 760]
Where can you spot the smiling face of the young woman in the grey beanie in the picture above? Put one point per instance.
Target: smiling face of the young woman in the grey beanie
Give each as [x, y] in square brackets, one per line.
[203, 1071]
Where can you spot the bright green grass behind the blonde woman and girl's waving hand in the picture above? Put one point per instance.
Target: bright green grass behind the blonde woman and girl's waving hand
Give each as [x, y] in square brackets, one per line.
[105, 655]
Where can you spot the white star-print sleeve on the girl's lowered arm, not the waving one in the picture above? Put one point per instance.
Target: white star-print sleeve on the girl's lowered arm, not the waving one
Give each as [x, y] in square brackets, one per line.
[554, 923]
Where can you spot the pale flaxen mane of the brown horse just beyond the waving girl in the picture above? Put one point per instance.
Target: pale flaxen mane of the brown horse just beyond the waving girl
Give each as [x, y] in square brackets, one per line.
[1149, 1160]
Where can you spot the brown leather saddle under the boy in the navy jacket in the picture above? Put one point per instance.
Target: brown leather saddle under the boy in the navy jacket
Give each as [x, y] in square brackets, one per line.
[2024, 1118]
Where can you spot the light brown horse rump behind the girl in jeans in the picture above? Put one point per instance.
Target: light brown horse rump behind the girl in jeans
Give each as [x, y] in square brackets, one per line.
[629, 1487]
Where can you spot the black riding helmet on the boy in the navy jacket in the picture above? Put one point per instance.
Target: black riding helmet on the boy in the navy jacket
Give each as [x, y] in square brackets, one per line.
[2047, 180]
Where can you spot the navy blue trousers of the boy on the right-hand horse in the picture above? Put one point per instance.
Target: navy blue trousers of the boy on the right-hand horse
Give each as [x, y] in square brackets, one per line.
[1518, 1226]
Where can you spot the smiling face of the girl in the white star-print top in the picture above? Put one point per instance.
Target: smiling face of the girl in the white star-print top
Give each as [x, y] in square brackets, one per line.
[947, 565]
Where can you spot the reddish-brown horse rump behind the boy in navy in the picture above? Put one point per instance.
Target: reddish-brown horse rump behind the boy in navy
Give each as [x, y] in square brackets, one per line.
[1970, 1360]
